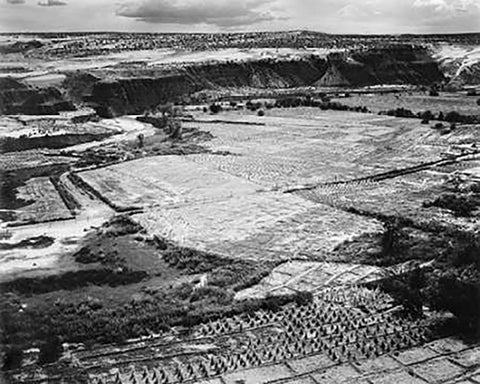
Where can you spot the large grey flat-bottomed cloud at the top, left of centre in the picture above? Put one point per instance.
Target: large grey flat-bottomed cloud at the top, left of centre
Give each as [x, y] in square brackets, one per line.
[216, 12]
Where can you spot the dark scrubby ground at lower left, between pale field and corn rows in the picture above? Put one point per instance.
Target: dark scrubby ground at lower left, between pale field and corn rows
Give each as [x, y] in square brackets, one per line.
[135, 286]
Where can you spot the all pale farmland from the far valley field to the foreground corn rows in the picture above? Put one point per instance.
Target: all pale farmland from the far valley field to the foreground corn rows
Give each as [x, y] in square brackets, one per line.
[291, 187]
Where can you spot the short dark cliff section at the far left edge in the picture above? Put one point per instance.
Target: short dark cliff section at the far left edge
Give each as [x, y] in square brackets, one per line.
[18, 98]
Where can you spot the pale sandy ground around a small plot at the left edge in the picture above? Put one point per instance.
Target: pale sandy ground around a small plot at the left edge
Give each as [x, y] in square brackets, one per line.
[67, 234]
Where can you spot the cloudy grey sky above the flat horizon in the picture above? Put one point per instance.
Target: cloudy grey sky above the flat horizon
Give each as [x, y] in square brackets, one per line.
[332, 16]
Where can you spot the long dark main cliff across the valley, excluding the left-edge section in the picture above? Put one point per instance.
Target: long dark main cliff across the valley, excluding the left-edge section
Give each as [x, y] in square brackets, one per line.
[397, 64]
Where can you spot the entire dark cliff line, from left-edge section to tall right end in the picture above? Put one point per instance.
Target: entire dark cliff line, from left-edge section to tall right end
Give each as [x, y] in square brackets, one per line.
[132, 88]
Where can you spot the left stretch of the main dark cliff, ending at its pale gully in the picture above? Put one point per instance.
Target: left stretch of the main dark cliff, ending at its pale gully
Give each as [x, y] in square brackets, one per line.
[135, 95]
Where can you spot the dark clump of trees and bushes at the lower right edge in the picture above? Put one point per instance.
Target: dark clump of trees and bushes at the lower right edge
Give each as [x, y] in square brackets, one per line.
[448, 280]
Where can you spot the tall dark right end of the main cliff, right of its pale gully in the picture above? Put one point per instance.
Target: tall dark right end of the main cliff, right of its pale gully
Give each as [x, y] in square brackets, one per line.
[400, 64]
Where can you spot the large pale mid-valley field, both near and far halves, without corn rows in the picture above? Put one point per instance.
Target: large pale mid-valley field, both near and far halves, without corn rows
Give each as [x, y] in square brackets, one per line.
[234, 204]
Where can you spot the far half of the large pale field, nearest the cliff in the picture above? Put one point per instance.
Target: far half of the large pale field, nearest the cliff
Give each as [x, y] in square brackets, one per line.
[306, 145]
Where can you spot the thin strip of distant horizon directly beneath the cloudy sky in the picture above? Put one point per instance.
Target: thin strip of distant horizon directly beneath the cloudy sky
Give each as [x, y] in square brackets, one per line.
[239, 32]
